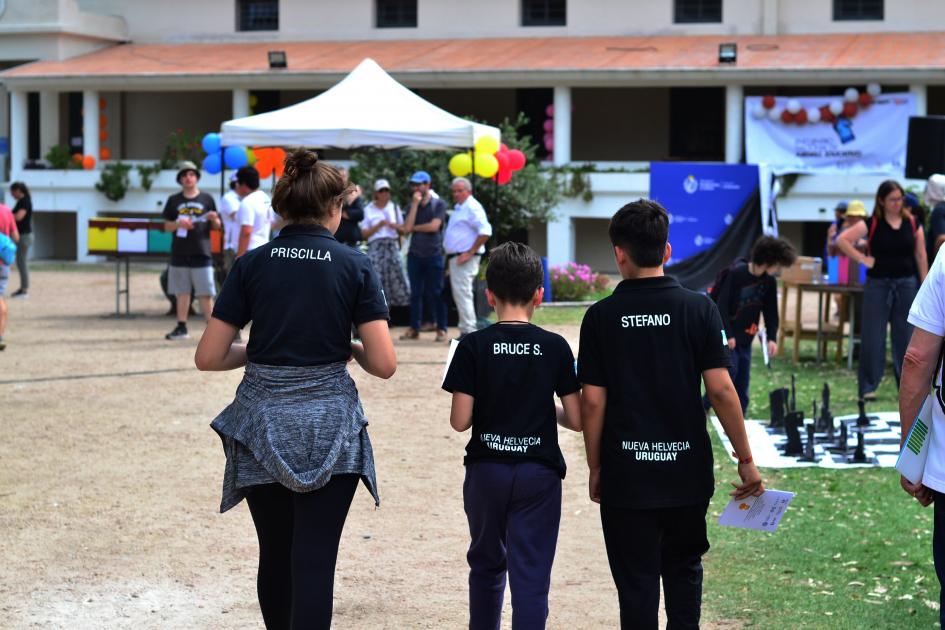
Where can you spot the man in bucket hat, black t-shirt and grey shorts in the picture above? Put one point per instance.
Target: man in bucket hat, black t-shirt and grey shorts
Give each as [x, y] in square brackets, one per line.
[190, 215]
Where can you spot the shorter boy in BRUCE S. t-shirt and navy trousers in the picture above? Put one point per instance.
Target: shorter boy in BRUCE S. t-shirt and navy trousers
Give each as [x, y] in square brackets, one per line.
[503, 380]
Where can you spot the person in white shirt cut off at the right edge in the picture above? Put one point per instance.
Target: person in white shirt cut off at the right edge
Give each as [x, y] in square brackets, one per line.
[923, 363]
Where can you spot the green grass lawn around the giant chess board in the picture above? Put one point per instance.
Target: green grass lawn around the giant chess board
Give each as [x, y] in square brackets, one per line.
[853, 551]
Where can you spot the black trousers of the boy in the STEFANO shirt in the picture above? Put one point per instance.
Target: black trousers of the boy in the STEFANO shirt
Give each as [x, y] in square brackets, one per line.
[645, 545]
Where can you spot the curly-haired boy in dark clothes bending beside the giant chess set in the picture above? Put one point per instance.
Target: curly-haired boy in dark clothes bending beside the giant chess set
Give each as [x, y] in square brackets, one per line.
[747, 291]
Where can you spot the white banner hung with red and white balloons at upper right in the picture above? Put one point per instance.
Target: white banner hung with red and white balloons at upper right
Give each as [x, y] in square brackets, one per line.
[857, 133]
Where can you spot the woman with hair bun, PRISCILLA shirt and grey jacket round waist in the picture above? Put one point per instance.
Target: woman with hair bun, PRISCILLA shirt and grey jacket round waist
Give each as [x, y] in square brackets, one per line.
[295, 436]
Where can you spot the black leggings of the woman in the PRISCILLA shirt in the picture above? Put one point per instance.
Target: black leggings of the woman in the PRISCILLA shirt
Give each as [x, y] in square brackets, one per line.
[298, 545]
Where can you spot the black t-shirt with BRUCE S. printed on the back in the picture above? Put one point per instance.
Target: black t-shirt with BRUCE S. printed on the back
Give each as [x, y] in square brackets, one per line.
[513, 372]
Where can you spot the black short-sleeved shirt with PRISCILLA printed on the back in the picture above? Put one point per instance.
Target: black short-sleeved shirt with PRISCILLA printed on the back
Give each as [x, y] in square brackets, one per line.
[303, 290]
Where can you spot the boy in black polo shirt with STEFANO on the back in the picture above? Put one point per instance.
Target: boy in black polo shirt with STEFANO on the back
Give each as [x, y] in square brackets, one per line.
[643, 353]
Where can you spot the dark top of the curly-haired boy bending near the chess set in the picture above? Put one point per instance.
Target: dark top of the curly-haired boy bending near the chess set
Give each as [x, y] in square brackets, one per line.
[743, 296]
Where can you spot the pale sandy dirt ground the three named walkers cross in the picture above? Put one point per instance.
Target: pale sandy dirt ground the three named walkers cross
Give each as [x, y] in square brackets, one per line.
[110, 483]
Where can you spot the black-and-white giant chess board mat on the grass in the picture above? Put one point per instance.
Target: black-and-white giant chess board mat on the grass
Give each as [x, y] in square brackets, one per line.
[881, 443]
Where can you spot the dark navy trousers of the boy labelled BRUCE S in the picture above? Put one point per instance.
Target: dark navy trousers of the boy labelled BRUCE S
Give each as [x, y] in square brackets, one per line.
[513, 511]
